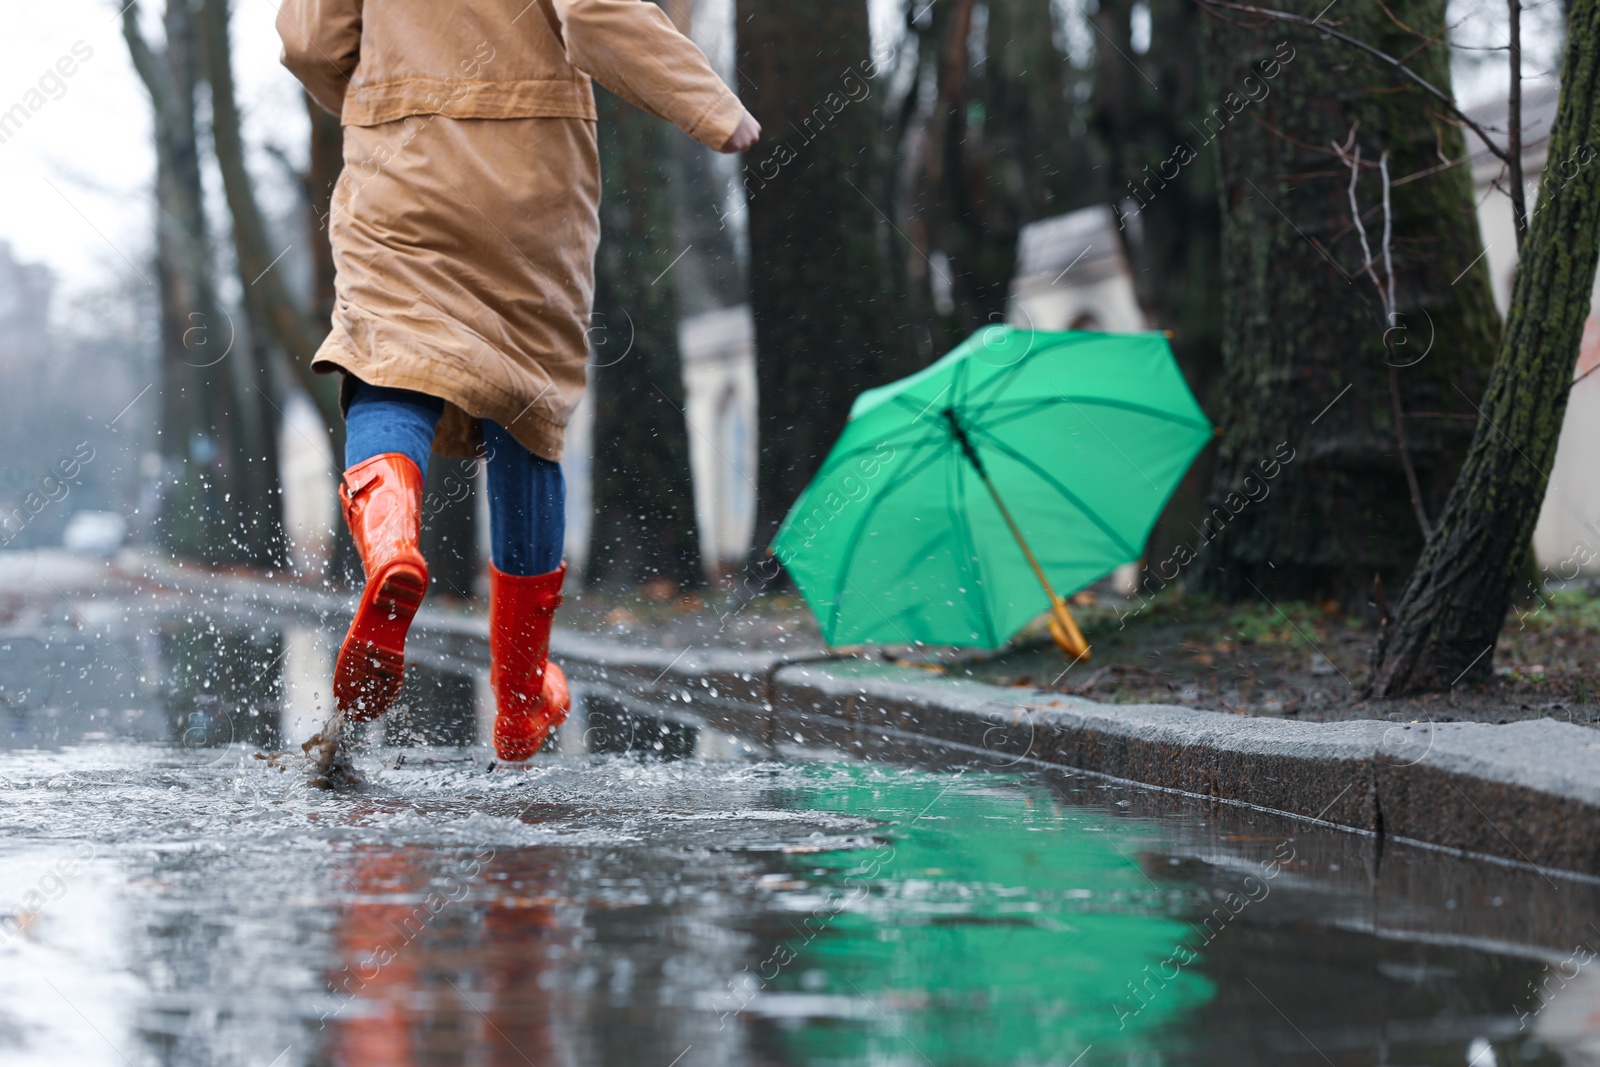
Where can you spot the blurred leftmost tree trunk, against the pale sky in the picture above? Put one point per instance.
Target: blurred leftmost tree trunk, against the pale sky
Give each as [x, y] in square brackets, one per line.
[223, 505]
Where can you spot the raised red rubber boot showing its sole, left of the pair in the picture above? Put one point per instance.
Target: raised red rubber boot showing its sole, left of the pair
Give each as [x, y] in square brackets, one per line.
[383, 505]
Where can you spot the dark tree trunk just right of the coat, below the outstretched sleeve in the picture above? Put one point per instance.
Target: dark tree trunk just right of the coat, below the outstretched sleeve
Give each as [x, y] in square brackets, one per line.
[644, 500]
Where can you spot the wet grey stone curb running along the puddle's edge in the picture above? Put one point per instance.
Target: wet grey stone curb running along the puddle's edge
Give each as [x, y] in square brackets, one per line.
[1526, 793]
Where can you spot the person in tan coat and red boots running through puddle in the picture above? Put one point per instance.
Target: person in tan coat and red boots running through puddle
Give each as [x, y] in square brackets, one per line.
[465, 233]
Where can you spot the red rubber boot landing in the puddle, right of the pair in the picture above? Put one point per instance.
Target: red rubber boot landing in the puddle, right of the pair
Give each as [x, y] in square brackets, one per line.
[530, 693]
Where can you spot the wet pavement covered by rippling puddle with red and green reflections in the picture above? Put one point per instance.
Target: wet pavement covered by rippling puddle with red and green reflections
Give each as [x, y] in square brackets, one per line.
[658, 893]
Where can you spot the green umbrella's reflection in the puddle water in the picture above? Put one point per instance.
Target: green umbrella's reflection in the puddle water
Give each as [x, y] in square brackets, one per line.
[1001, 927]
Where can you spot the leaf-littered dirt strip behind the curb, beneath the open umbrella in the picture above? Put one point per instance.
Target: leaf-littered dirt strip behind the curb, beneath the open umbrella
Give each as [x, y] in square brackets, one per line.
[1294, 660]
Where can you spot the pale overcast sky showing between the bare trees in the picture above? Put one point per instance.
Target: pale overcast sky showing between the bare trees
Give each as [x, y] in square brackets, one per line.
[76, 180]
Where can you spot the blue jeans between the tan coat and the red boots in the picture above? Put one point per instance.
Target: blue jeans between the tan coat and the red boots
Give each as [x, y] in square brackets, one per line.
[527, 492]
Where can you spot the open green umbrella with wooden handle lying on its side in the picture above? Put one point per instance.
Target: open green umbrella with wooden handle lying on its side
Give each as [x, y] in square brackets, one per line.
[961, 498]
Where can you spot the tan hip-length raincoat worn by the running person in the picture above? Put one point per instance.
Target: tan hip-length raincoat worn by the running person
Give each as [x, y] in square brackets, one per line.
[465, 223]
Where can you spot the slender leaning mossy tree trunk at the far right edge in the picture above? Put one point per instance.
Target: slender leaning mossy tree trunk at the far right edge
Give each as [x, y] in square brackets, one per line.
[1449, 618]
